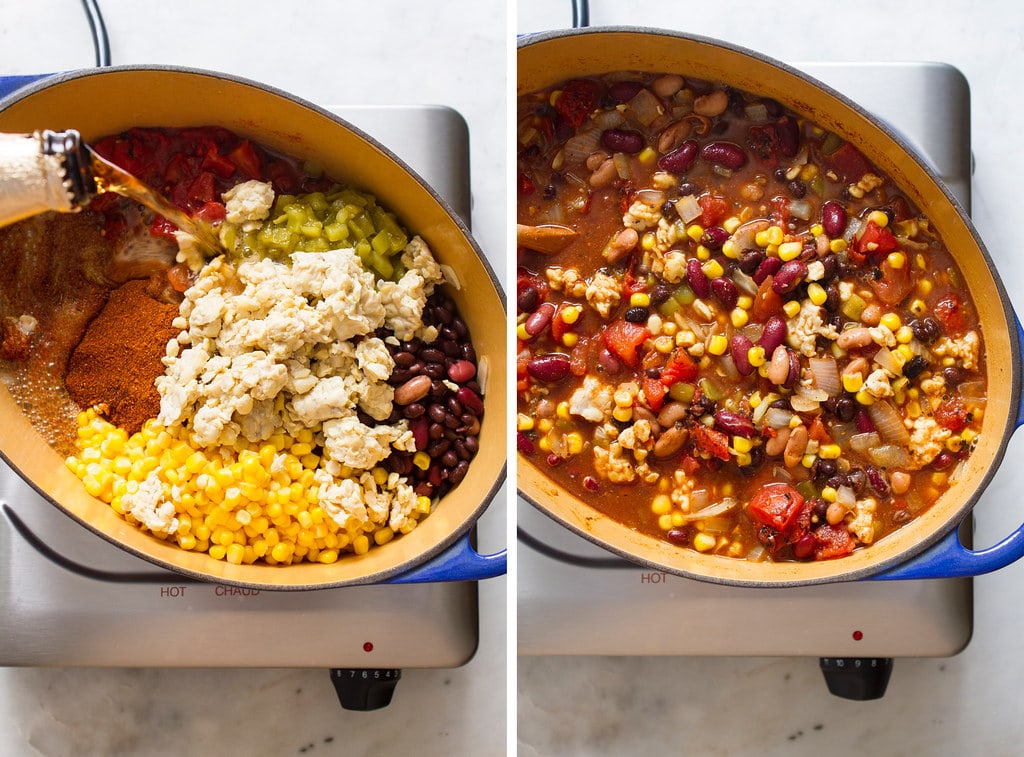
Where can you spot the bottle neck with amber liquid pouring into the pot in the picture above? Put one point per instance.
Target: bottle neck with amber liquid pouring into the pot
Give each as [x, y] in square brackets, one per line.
[56, 172]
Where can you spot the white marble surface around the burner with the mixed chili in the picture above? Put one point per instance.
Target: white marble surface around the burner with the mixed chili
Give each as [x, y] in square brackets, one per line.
[969, 704]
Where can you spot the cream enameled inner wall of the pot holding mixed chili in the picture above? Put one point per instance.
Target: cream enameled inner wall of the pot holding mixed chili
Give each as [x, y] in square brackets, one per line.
[547, 60]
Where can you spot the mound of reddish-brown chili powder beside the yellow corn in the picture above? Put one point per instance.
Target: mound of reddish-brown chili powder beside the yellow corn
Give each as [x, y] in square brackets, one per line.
[120, 357]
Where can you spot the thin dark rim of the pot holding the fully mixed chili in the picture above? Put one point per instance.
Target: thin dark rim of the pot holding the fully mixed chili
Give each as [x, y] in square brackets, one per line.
[1008, 325]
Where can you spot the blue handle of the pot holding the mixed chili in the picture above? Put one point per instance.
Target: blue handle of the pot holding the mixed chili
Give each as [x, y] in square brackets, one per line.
[950, 559]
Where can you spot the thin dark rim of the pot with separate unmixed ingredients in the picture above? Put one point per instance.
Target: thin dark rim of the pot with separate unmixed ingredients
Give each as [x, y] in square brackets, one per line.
[439, 548]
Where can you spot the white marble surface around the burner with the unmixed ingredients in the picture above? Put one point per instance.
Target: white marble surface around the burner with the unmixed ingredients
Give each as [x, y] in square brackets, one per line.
[381, 53]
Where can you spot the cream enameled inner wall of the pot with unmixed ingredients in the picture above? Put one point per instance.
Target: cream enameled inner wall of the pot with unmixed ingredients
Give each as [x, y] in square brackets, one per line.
[110, 101]
